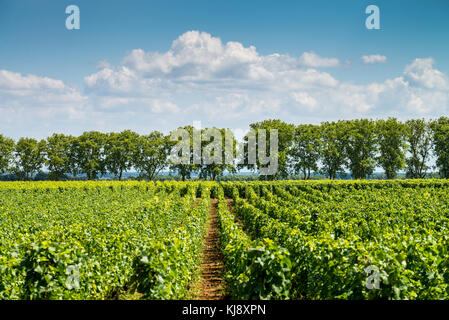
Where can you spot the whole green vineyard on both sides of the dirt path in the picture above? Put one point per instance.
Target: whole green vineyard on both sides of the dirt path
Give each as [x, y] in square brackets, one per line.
[277, 240]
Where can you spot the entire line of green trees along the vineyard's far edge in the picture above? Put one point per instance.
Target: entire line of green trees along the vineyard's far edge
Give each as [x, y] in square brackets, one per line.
[330, 148]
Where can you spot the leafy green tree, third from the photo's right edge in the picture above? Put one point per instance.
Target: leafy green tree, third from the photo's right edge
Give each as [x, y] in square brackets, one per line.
[392, 146]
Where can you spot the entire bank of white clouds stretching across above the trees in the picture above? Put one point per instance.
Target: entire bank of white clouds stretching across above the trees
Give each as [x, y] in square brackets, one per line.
[221, 84]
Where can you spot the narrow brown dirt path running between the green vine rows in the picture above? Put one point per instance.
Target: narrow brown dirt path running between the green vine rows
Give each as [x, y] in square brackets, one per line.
[212, 284]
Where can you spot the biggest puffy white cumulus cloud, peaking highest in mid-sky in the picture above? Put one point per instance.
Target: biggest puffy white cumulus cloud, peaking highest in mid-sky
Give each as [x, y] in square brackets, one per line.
[198, 57]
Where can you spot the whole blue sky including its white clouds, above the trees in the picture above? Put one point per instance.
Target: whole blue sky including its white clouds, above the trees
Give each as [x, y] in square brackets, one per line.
[234, 62]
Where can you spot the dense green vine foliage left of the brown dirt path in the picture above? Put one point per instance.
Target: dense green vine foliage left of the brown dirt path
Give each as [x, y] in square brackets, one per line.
[100, 240]
